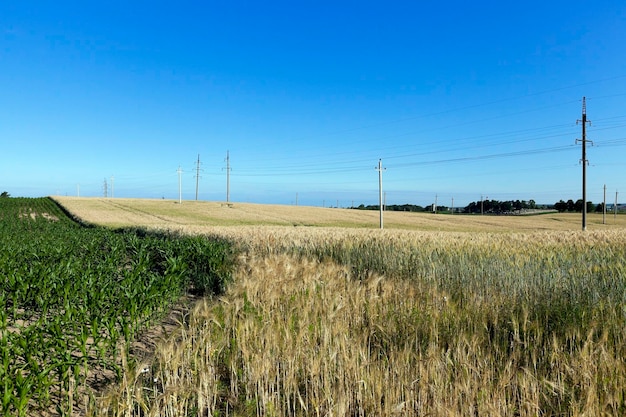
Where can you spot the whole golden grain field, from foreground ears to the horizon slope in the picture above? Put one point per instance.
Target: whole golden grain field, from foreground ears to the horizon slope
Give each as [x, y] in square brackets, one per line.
[435, 315]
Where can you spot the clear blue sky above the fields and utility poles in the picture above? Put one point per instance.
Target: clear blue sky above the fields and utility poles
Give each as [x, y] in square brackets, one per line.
[459, 99]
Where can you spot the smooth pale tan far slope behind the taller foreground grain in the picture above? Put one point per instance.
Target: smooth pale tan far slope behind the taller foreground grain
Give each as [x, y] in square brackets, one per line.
[194, 216]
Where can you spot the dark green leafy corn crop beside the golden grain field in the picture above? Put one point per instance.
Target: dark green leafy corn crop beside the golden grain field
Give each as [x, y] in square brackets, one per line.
[73, 298]
